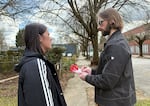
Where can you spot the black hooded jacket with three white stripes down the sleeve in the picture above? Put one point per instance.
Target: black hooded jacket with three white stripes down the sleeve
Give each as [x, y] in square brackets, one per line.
[38, 83]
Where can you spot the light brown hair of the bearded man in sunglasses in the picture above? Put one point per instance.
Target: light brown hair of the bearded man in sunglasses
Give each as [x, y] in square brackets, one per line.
[113, 18]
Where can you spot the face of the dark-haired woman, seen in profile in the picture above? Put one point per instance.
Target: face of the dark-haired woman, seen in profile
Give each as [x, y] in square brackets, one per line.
[45, 41]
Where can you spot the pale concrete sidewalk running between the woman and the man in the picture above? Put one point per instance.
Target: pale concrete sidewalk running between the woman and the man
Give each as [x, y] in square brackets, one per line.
[76, 92]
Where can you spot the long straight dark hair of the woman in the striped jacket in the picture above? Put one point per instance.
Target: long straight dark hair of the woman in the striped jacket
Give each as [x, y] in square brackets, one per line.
[31, 36]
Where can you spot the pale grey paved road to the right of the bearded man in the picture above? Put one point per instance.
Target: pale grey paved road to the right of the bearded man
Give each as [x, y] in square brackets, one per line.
[141, 68]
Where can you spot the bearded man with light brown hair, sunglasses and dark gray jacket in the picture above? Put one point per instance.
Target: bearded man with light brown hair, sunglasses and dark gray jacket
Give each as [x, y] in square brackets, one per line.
[113, 78]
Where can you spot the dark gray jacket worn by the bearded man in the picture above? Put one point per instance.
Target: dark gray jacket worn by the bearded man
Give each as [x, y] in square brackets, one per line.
[113, 79]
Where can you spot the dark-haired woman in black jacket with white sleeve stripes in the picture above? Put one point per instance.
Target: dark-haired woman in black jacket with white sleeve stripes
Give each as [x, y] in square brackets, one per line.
[38, 81]
